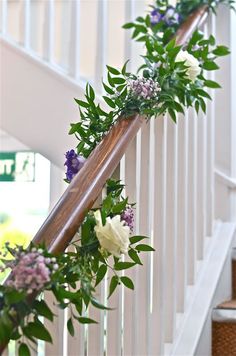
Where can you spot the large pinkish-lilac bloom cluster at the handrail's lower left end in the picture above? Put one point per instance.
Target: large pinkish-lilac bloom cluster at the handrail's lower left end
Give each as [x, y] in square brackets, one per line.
[31, 271]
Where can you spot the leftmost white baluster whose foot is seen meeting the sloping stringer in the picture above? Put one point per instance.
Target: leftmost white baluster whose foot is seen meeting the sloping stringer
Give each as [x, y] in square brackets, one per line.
[171, 229]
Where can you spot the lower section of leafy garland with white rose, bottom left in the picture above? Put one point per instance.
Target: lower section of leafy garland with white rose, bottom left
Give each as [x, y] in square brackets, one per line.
[72, 277]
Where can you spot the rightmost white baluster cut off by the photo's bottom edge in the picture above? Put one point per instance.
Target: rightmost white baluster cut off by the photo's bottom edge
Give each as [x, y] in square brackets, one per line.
[157, 316]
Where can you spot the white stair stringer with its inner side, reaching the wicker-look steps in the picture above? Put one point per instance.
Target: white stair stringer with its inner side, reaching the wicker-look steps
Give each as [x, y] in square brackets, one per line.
[213, 285]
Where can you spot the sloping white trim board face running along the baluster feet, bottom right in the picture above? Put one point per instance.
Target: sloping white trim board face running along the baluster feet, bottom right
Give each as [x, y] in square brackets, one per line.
[202, 293]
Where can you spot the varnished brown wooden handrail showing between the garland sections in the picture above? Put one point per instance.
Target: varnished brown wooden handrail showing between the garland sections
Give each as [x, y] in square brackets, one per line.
[65, 219]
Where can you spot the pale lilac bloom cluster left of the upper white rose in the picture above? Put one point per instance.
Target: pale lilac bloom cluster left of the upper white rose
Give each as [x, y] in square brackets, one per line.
[144, 88]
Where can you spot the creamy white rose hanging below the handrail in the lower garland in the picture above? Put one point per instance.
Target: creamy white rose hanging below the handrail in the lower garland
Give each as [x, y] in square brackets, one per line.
[113, 236]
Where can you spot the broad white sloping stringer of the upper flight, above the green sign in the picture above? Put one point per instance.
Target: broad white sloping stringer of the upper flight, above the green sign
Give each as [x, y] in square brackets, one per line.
[37, 103]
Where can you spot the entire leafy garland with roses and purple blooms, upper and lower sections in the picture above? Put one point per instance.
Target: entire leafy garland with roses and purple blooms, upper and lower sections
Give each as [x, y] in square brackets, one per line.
[171, 78]
